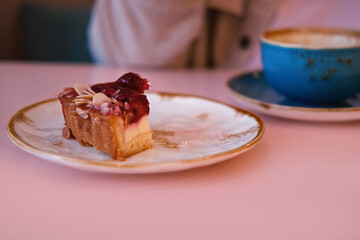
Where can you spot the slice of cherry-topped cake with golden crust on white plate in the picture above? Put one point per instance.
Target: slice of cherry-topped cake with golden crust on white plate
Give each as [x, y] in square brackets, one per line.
[112, 117]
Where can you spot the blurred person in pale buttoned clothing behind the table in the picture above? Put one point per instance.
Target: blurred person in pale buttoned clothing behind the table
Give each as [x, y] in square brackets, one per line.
[200, 33]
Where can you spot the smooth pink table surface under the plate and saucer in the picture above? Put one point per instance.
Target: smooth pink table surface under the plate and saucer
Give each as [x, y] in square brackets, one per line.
[302, 181]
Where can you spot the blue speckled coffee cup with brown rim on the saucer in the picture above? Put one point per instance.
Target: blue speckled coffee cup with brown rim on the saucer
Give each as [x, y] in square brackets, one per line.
[313, 65]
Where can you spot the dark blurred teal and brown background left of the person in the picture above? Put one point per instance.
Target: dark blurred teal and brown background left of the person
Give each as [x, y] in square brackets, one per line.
[30, 30]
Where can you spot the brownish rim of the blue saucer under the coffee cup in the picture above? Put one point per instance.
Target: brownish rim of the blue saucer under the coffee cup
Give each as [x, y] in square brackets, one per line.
[267, 105]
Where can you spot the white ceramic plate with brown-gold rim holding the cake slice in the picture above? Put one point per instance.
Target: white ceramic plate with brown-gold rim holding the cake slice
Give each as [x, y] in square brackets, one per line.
[188, 132]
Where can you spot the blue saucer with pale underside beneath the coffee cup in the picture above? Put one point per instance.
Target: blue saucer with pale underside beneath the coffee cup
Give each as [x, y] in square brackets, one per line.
[253, 91]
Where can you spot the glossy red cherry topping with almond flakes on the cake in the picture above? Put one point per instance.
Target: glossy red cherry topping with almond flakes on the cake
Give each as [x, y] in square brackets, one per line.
[121, 97]
